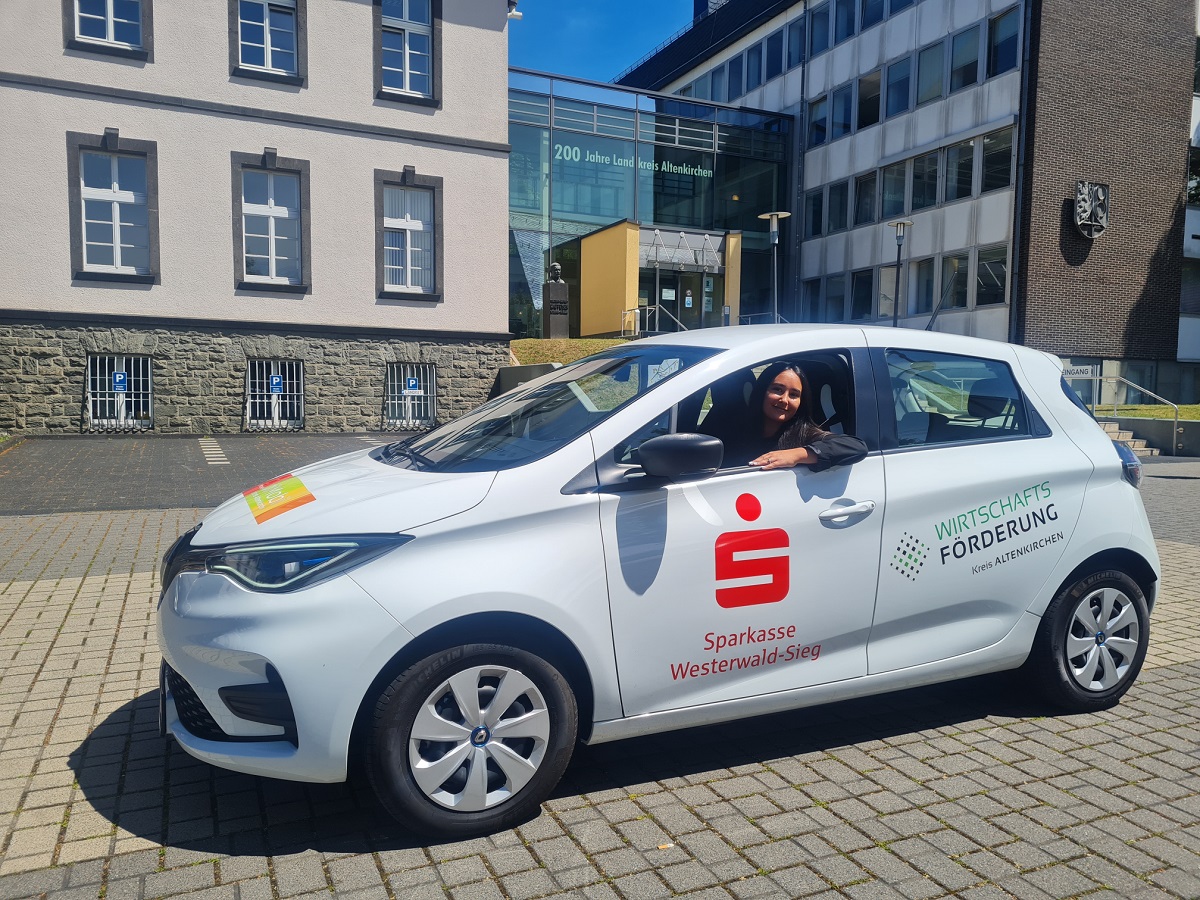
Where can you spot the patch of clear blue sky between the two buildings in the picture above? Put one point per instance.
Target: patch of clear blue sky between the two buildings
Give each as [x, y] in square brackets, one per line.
[592, 39]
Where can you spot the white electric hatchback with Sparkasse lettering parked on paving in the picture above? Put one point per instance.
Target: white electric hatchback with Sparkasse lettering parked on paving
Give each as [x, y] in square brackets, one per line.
[572, 562]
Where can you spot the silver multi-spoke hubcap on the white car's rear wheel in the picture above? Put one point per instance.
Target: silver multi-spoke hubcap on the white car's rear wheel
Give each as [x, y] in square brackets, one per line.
[1102, 640]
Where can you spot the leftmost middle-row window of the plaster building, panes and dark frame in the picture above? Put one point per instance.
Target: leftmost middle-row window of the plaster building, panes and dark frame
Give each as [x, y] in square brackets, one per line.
[113, 208]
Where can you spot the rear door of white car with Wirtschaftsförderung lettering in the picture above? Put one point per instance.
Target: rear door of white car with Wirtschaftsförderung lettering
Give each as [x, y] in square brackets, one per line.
[982, 497]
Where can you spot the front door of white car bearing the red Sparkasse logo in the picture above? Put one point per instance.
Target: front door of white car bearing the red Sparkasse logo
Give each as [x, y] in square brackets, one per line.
[743, 584]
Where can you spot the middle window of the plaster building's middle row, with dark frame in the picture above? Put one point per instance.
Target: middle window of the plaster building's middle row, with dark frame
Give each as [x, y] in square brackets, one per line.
[272, 229]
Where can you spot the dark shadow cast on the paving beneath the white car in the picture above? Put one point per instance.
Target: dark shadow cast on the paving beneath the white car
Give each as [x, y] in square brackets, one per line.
[149, 788]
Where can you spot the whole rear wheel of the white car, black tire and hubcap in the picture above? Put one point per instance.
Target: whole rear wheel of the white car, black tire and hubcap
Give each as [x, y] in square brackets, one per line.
[1091, 643]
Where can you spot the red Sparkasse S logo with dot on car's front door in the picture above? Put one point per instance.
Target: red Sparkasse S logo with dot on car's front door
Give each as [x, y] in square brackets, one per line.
[775, 569]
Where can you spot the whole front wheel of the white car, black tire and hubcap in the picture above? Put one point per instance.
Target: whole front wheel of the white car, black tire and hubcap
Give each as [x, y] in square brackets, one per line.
[447, 763]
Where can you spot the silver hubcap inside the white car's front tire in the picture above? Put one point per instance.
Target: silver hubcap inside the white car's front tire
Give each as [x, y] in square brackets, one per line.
[479, 739]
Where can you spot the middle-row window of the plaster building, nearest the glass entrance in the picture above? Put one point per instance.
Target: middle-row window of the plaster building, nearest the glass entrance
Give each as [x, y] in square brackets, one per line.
[409, 224]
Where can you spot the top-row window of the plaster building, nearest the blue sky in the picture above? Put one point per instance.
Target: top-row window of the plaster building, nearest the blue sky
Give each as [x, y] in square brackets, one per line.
[406, 41]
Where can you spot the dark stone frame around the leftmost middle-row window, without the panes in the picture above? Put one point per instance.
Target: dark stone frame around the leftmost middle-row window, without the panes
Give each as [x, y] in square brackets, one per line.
[112, 145]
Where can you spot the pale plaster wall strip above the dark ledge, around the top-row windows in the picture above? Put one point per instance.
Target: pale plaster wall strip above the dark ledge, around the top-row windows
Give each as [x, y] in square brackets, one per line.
[191, 59]
